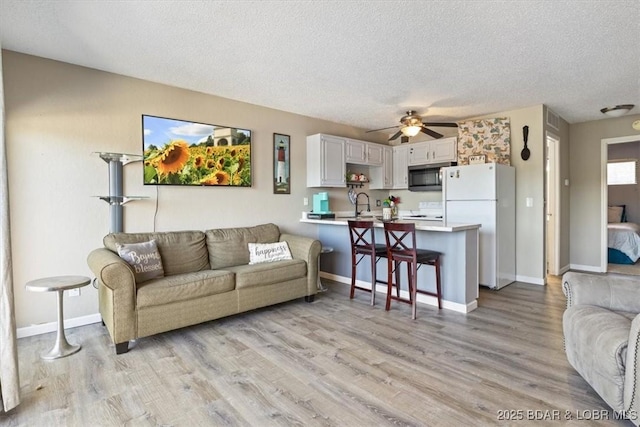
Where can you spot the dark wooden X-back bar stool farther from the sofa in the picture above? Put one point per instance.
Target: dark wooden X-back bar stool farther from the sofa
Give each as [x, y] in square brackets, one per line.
[401, 247]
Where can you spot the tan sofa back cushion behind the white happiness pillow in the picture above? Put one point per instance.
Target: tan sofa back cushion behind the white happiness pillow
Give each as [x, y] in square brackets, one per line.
[229, 246]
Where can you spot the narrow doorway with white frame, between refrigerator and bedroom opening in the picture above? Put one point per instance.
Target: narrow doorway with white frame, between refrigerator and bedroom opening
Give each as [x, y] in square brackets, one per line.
[552, 205]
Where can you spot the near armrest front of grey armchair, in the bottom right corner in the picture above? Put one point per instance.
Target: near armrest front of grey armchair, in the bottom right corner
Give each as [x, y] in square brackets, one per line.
[631, 403]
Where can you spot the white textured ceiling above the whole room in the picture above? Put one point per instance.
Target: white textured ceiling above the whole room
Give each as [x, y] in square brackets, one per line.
[362, 63]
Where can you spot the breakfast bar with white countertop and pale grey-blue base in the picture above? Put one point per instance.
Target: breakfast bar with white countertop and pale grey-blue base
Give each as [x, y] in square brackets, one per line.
[457, 242]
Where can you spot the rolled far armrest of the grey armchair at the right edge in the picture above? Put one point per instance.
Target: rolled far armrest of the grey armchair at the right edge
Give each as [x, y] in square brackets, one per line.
[613, 293]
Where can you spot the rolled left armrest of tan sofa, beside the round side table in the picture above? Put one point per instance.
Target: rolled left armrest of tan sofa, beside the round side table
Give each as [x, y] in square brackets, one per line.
[116, 292]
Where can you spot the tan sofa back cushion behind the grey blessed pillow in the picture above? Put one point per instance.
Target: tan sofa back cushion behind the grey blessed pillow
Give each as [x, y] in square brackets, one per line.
[181, 251]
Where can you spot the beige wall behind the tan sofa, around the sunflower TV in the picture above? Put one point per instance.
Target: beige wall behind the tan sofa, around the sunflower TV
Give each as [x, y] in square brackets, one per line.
[58, 114]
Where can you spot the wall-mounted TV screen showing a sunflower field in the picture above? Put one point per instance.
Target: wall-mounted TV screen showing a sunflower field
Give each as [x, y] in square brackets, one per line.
[177, 152]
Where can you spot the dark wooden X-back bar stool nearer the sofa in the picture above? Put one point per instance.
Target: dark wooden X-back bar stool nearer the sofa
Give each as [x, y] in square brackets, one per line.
[363, 243]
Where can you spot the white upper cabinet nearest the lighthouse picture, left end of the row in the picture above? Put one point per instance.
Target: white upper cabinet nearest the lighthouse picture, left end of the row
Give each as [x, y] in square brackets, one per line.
[326, 162]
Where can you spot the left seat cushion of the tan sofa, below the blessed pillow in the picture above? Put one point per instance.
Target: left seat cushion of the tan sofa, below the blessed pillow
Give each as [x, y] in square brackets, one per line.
[185, 286]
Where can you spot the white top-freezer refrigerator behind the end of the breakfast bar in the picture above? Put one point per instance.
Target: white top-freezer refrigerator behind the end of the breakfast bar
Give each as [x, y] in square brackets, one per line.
[485, 194]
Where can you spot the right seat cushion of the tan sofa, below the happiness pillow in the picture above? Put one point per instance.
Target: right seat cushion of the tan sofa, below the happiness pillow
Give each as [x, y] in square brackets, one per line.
[268, 273]
